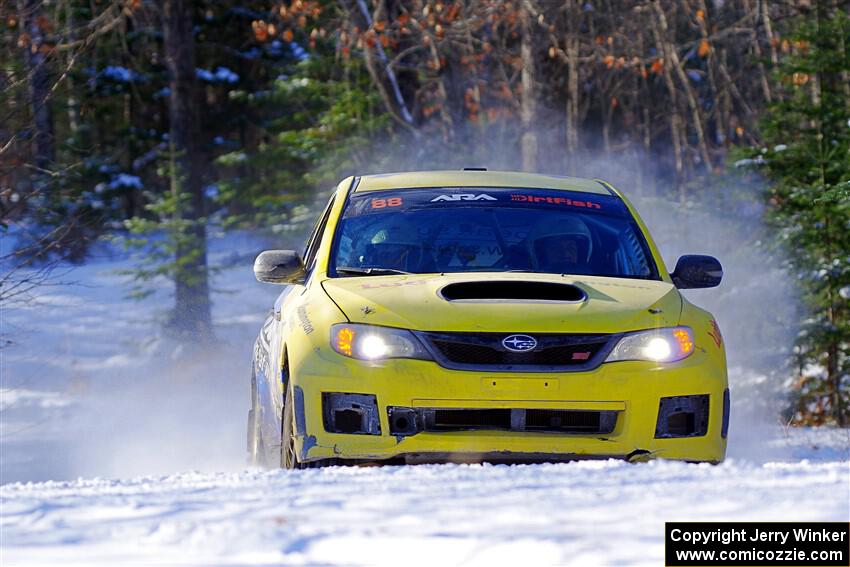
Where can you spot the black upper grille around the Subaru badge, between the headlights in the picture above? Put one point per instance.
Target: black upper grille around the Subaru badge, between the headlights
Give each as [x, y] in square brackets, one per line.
[485, 351]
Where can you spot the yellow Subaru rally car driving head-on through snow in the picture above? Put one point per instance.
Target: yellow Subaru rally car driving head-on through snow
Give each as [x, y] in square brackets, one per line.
[484, 316]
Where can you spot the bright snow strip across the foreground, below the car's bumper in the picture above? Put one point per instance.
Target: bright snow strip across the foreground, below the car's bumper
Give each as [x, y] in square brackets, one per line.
[584, 513]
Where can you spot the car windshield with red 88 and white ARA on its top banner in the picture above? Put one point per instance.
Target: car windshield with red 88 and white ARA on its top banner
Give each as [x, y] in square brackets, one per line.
[492, 230]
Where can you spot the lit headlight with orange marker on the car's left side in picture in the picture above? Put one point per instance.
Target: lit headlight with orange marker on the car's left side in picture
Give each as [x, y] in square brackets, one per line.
[366, 342]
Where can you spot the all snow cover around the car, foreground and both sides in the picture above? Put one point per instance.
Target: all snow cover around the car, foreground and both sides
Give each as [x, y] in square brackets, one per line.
[88, 388]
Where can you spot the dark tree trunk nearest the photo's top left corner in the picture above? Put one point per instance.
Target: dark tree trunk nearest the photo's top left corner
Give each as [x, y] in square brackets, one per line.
[38, 83]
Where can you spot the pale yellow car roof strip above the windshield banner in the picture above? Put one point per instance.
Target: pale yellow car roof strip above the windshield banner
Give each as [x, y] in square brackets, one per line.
[478, 178]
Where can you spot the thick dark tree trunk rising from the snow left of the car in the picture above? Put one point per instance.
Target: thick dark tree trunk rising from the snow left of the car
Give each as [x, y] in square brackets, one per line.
[192, 317]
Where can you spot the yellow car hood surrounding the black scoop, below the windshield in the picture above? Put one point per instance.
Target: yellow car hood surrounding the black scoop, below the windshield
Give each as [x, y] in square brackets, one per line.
[417, 302]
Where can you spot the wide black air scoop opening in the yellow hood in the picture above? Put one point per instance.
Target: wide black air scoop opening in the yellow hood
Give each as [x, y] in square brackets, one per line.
[512, 292]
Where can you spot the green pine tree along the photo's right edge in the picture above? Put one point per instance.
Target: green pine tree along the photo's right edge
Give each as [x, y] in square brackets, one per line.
[806, 134]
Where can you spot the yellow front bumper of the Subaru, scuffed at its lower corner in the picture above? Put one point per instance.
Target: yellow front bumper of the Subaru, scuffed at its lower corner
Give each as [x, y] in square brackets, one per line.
[631, 389]
